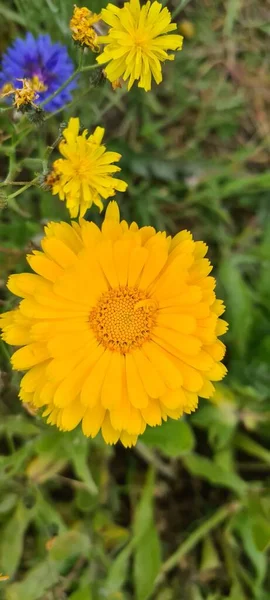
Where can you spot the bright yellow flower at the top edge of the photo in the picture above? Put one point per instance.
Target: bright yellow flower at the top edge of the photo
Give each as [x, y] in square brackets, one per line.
[137, 43]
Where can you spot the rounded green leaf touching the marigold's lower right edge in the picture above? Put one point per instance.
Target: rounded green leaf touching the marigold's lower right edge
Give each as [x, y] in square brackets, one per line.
[174, 438]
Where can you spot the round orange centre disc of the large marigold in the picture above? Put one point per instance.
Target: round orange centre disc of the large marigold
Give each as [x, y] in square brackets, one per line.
[123, 319]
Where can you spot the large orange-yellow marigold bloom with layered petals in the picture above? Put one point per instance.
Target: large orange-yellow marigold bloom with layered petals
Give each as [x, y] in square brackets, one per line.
[118, 326]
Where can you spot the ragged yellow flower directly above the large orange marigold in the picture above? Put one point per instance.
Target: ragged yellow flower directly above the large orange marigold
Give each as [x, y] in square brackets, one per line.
[84, 175]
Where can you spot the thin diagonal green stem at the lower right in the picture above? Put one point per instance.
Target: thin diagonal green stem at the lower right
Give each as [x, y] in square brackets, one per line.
[194, 538]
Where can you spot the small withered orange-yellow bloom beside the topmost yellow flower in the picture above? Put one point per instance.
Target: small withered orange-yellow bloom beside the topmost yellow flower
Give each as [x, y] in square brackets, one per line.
[81, 25]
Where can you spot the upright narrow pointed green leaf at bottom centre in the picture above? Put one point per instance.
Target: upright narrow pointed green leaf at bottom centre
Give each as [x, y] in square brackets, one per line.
[147, 556]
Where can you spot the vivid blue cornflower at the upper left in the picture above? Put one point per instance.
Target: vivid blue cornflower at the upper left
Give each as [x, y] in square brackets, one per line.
[46, 64]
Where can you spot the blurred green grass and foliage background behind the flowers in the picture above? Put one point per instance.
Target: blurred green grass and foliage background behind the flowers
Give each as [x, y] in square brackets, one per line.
[185, 514]
